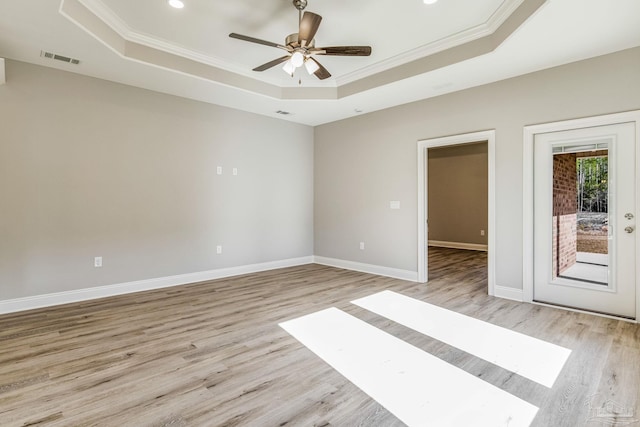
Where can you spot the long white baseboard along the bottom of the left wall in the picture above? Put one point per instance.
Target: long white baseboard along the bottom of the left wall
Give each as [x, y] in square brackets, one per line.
[48, 300]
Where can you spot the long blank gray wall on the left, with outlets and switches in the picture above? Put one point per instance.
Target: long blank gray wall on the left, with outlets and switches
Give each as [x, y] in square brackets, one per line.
[91, 168]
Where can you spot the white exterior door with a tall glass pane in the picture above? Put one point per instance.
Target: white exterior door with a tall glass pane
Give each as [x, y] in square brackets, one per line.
[584, 219]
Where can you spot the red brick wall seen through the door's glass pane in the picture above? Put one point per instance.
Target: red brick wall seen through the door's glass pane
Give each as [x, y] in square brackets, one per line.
[564, 212]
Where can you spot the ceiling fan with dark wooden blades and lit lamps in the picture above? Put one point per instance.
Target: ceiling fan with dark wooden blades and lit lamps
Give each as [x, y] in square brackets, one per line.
[301, 48]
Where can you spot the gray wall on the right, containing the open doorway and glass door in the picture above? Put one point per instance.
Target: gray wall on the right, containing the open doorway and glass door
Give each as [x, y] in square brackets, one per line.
[363, 162]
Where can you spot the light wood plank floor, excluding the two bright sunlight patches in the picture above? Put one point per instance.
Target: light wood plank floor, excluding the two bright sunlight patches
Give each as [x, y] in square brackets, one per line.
[212, 354]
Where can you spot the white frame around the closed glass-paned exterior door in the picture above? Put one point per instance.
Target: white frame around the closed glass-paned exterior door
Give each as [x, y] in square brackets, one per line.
[528, 180]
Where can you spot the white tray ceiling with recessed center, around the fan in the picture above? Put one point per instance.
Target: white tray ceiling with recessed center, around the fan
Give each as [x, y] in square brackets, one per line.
[418, 50]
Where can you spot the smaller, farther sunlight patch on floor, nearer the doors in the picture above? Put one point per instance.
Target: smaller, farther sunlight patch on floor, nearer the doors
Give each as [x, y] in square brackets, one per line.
[532, 358]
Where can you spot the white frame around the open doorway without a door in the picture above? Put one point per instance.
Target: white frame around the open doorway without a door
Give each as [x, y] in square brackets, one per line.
[423, 145]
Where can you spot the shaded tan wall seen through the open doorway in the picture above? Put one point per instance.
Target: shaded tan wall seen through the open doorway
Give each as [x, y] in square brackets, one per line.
[458, 193]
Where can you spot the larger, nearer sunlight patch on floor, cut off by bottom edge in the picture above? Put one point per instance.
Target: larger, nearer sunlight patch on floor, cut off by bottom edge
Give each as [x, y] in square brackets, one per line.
[415, 386]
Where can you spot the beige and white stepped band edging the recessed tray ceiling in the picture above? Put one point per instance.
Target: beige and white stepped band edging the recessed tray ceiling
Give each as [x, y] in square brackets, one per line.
[107, 27]
